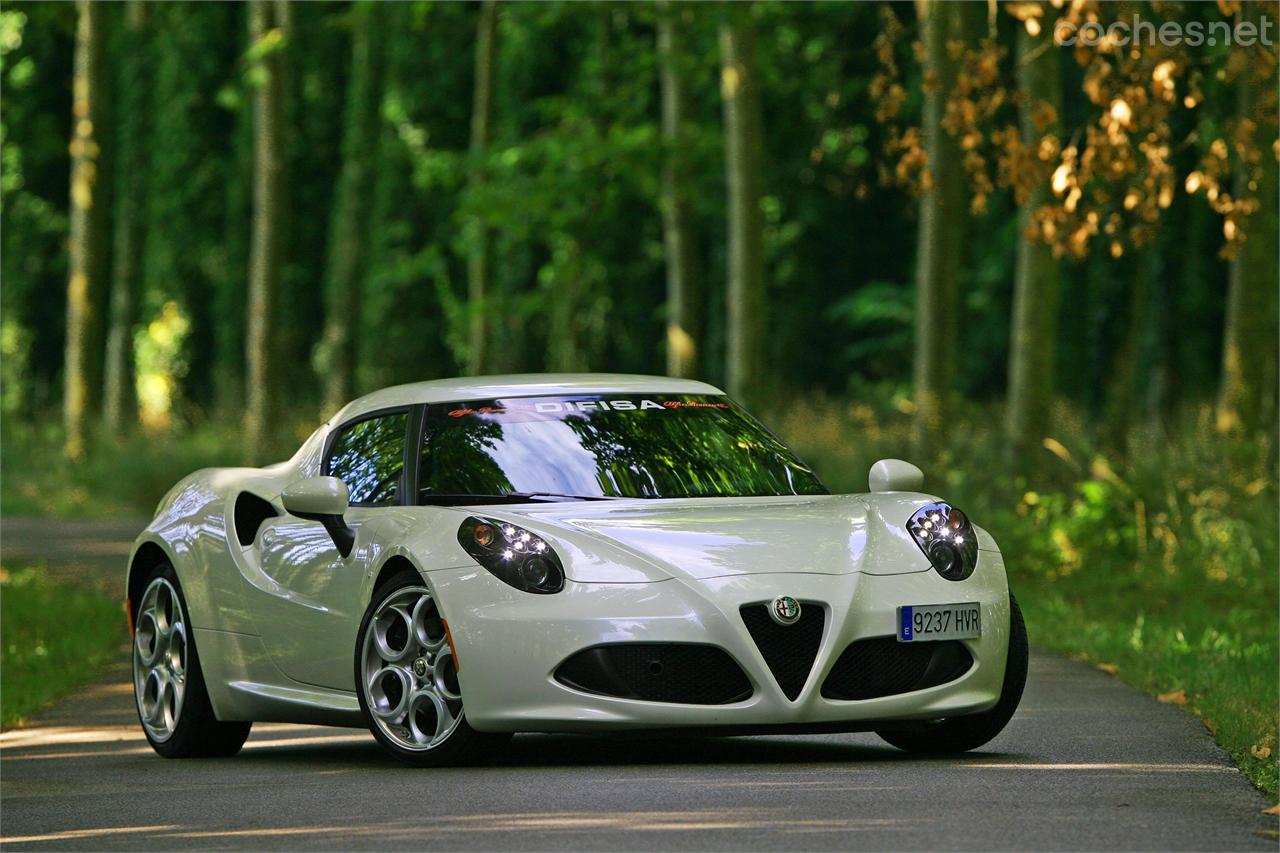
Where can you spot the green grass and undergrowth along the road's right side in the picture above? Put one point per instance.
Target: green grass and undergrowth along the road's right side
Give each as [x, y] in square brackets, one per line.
[1159, 565]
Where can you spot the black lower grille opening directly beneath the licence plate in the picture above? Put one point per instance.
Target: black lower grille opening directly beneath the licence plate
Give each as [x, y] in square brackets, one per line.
[883, 667]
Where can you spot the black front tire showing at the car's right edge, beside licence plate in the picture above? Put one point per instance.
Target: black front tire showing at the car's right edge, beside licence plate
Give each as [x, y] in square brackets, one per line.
[962, 735]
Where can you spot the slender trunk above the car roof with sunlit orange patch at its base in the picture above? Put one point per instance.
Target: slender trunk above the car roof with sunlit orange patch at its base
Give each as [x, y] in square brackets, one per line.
[684, 276]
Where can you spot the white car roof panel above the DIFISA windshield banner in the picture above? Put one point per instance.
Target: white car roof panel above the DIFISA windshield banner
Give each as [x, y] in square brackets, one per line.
[527, 385]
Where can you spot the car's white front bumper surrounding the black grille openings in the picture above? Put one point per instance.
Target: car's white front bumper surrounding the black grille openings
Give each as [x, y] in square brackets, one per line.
[510, 644]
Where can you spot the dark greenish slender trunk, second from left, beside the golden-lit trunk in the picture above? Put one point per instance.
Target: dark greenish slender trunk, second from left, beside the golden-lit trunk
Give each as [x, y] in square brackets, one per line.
[120, 398]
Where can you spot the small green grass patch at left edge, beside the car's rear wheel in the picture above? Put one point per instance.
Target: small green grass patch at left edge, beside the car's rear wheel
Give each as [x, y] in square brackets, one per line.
[53, 638]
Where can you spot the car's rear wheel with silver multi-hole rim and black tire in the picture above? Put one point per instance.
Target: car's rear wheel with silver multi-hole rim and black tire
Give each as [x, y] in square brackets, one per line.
[168, 683]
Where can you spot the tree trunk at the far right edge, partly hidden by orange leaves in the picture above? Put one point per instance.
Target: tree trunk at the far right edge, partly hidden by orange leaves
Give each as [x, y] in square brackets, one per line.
[1247, 399]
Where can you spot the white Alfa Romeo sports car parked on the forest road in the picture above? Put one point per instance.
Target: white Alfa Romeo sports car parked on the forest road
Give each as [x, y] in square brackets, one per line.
[454, 562]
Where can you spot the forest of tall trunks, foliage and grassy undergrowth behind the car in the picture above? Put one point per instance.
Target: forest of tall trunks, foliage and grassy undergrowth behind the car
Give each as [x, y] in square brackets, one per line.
[1031, 247]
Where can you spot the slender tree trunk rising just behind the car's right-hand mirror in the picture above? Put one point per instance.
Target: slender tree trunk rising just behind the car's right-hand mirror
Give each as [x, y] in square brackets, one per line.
[940, 244]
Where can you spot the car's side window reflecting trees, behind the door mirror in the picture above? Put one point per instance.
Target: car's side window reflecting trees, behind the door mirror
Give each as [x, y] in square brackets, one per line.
[369, 458]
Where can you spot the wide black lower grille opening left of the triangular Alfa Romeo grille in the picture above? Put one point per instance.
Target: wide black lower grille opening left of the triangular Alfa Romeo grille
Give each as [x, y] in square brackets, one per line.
[685, 673]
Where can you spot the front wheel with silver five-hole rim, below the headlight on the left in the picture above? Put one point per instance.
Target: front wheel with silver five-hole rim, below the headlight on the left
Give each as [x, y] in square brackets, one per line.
[406, 681]
